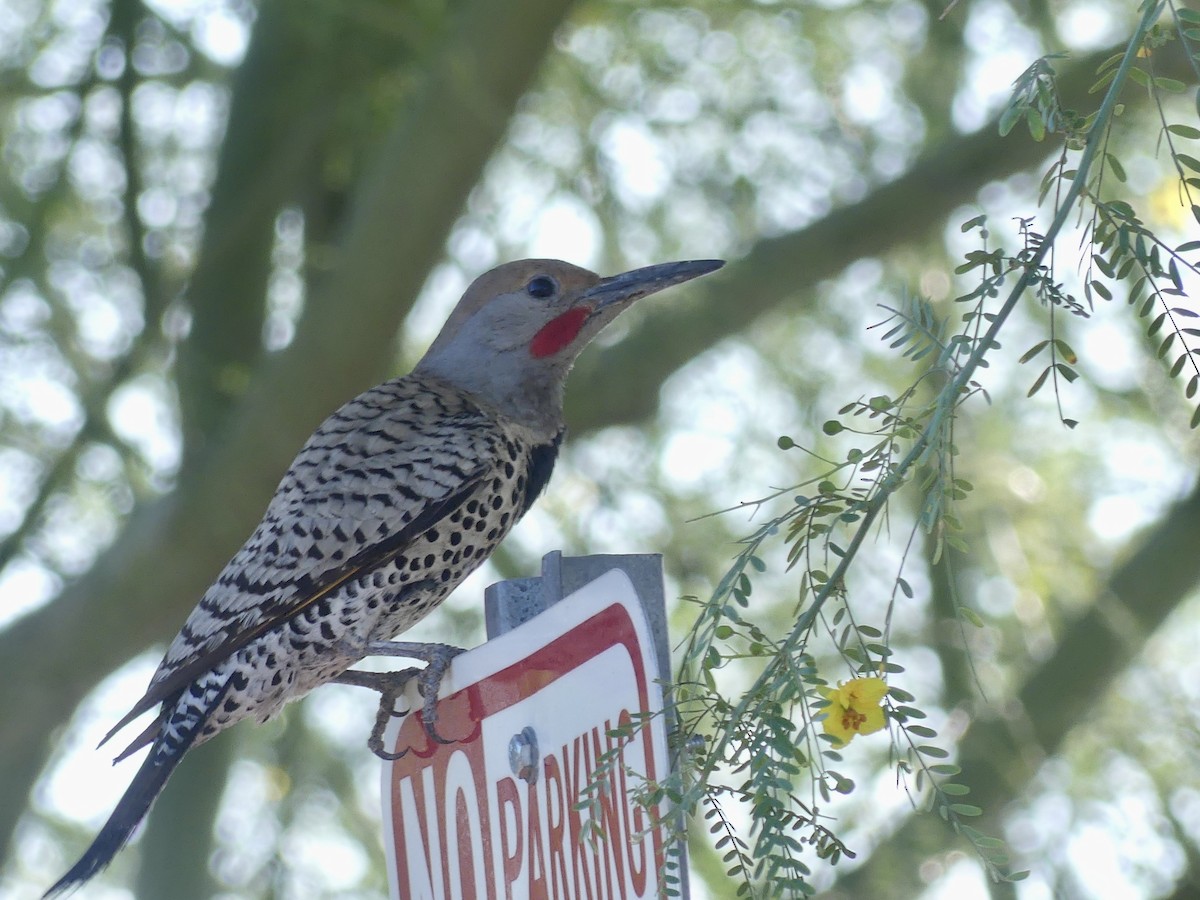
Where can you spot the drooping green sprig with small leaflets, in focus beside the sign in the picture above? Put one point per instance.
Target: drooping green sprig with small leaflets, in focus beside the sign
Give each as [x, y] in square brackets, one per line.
[757, 743]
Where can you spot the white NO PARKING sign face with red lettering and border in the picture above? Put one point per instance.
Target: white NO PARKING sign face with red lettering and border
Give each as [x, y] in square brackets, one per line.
[461, 823]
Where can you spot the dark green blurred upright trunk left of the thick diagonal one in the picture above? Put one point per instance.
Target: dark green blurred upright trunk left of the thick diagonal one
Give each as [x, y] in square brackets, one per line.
[272, 153]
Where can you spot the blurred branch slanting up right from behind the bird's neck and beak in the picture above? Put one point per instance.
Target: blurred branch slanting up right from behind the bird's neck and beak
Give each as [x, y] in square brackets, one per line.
[783, 272]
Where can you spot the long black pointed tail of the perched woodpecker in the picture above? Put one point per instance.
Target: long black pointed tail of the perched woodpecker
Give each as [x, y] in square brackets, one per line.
[190, 711]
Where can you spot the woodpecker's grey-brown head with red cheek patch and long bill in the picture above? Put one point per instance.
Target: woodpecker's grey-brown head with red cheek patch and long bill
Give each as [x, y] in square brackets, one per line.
[514, 337]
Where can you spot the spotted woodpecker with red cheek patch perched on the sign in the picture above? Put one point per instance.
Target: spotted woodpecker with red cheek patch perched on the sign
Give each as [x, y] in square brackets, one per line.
[395, 500]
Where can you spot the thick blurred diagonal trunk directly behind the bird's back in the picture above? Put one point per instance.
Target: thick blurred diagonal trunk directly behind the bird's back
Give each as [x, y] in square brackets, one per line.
[401, 213]
